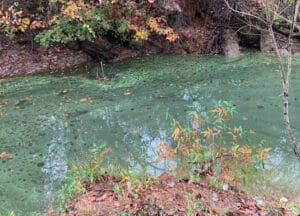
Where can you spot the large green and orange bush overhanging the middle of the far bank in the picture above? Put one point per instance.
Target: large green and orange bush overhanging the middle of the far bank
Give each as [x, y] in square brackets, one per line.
[122, 21]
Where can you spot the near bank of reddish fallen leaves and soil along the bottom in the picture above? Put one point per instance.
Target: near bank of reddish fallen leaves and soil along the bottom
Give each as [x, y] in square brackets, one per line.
[166, 197]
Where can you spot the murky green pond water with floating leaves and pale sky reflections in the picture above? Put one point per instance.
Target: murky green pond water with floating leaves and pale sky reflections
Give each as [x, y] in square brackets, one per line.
[46, 127]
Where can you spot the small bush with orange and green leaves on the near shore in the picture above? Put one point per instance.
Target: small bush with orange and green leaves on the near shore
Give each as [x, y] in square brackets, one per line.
[210, 146]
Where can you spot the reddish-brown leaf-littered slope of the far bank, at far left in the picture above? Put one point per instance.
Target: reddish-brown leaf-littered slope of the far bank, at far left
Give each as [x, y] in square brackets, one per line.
[20, 59]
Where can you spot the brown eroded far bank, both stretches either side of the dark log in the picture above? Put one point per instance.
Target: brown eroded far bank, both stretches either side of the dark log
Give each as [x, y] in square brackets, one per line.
[19, 58]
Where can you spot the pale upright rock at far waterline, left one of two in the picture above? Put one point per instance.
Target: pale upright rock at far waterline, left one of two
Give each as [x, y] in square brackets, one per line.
[230, 44]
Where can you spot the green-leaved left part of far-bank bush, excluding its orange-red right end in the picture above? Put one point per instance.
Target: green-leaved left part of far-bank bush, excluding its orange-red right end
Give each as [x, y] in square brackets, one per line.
[79, 23]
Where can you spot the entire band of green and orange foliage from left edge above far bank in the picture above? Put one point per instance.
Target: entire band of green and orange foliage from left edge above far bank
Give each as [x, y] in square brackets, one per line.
[66, 21]
